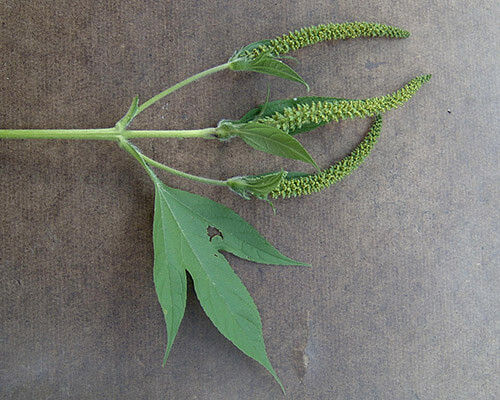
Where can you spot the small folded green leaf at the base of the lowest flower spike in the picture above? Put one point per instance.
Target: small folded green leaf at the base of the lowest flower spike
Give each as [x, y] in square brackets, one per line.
[258, 186]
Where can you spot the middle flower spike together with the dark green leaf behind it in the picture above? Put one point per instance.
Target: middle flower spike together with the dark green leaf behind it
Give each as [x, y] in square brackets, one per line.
[306, 113]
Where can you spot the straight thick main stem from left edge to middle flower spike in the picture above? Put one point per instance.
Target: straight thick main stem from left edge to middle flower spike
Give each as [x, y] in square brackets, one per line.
[103, 134]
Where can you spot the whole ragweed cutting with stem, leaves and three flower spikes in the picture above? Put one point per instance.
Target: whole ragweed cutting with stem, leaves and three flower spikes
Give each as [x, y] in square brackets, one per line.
[190, 231]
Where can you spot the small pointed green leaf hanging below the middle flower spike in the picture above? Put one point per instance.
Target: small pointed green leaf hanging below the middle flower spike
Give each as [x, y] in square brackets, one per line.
[267, 139]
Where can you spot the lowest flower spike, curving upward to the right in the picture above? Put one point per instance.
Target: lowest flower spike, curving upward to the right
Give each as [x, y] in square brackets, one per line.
[294, 185]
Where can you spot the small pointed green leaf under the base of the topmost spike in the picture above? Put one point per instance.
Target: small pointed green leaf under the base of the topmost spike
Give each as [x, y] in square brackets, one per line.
[267, 64]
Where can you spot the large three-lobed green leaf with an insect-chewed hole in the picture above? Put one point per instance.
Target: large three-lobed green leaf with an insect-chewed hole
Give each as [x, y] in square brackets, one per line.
[182, 242]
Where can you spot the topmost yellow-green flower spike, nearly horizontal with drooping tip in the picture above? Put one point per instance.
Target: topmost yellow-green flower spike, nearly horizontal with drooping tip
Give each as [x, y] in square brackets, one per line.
[319, 33]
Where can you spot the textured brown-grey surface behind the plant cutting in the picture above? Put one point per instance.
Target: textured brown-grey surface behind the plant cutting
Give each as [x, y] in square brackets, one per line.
[401, 301]
